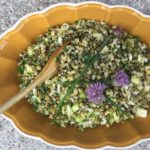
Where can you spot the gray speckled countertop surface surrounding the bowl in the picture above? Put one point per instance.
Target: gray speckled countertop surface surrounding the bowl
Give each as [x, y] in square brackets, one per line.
[10, 12]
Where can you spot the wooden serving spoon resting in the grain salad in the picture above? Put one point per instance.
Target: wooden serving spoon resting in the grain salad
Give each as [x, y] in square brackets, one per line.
[49, 70]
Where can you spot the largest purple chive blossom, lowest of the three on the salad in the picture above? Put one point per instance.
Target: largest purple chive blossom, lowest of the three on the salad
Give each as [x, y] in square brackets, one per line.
[95, 92]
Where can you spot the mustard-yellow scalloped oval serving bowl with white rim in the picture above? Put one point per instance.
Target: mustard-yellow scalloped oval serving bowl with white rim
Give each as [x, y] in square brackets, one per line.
[17, 39]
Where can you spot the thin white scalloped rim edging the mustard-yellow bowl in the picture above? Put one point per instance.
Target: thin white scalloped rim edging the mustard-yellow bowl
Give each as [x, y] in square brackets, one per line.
[138, 141]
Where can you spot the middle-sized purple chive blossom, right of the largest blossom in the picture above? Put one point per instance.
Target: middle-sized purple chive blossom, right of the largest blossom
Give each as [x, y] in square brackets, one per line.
[121, 78]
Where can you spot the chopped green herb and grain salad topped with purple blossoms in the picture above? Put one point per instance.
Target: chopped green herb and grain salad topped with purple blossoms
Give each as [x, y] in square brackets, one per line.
[103, 76]
